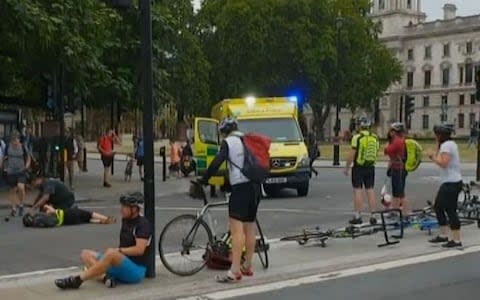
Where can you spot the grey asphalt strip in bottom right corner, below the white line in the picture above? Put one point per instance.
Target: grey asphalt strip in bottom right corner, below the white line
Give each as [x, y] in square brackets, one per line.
[451, 278]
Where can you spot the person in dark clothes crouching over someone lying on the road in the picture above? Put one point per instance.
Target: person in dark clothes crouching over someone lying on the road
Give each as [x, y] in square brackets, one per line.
[52, 192]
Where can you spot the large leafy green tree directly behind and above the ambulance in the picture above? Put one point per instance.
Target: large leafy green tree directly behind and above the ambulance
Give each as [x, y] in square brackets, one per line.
[274, 47]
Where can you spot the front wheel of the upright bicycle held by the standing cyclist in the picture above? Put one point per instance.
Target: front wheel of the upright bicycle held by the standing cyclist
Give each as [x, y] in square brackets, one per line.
[183, 245]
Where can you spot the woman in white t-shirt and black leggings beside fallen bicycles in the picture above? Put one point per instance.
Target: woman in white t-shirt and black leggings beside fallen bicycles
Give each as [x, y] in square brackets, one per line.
[448, 159]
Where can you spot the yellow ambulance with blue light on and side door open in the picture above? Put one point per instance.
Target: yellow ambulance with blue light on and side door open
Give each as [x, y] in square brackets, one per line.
[275, 117]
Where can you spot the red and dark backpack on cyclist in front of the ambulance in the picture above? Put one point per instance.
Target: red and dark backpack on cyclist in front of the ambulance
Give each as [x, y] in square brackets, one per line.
[256, 164]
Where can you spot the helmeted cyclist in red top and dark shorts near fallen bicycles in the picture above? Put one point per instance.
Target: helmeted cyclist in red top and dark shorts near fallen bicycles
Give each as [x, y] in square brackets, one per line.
[397, 153]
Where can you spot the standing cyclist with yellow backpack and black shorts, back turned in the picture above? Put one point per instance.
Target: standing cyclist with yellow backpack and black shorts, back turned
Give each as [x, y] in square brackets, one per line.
[365, 146]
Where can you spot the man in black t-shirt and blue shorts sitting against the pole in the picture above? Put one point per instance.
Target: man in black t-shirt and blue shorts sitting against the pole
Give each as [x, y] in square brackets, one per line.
[128, 262]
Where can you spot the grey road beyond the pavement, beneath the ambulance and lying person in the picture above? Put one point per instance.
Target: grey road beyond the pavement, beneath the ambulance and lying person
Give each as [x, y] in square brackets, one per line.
[328, 204]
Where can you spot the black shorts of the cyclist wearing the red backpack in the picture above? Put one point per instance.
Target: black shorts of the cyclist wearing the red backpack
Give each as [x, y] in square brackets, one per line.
[244, 200]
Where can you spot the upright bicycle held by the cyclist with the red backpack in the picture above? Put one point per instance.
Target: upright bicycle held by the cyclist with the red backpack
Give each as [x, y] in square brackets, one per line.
[197, 239]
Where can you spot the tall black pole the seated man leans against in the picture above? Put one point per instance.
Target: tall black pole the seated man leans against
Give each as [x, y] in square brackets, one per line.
[149, 183]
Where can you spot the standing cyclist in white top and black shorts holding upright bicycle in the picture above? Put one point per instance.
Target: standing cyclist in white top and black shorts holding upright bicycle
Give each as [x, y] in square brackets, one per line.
[243, 204]
